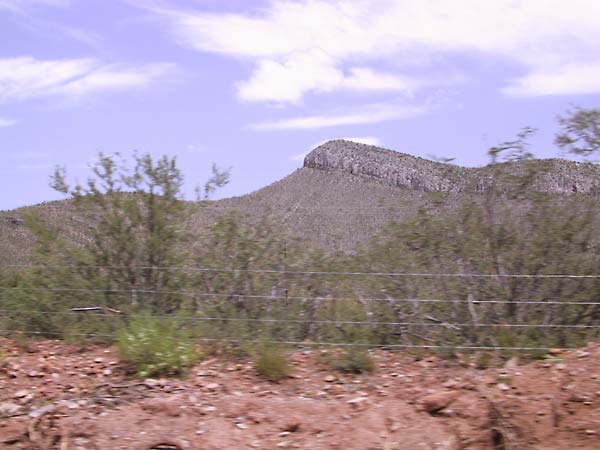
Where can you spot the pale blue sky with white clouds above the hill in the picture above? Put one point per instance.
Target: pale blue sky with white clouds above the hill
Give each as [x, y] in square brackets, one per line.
[256, 84]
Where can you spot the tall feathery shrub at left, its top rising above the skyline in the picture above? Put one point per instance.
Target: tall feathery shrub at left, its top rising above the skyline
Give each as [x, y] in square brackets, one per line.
[135, 217]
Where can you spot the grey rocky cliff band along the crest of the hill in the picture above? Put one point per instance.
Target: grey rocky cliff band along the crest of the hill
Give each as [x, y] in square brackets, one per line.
[553, 176]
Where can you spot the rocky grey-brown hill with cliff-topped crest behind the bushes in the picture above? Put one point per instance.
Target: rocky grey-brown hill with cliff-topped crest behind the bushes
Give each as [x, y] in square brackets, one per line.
[344, 193]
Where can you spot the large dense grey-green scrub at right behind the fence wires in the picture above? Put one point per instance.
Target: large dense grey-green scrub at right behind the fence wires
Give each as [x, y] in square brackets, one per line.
[539, 236]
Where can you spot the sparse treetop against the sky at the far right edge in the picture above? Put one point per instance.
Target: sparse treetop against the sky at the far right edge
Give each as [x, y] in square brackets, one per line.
[580, 132]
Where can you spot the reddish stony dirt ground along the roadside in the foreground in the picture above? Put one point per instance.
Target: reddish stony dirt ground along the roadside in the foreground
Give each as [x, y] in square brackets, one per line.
[58, 396]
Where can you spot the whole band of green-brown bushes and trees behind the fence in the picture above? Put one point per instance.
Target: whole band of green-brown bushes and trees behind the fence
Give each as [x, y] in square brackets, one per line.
[245, 280]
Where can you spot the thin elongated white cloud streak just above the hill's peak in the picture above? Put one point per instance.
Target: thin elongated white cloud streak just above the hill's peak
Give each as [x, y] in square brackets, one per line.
[366, 115]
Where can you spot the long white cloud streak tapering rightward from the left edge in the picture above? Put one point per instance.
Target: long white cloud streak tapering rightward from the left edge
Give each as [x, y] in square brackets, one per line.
[26, 78]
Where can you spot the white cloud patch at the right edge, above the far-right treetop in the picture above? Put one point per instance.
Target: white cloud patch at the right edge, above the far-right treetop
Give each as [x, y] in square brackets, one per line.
[578, 78]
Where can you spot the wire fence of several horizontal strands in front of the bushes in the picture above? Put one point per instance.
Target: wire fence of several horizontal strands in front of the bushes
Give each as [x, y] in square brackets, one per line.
[283, 319]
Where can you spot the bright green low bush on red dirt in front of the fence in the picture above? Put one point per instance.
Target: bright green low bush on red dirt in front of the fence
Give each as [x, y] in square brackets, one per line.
[156, 346]
